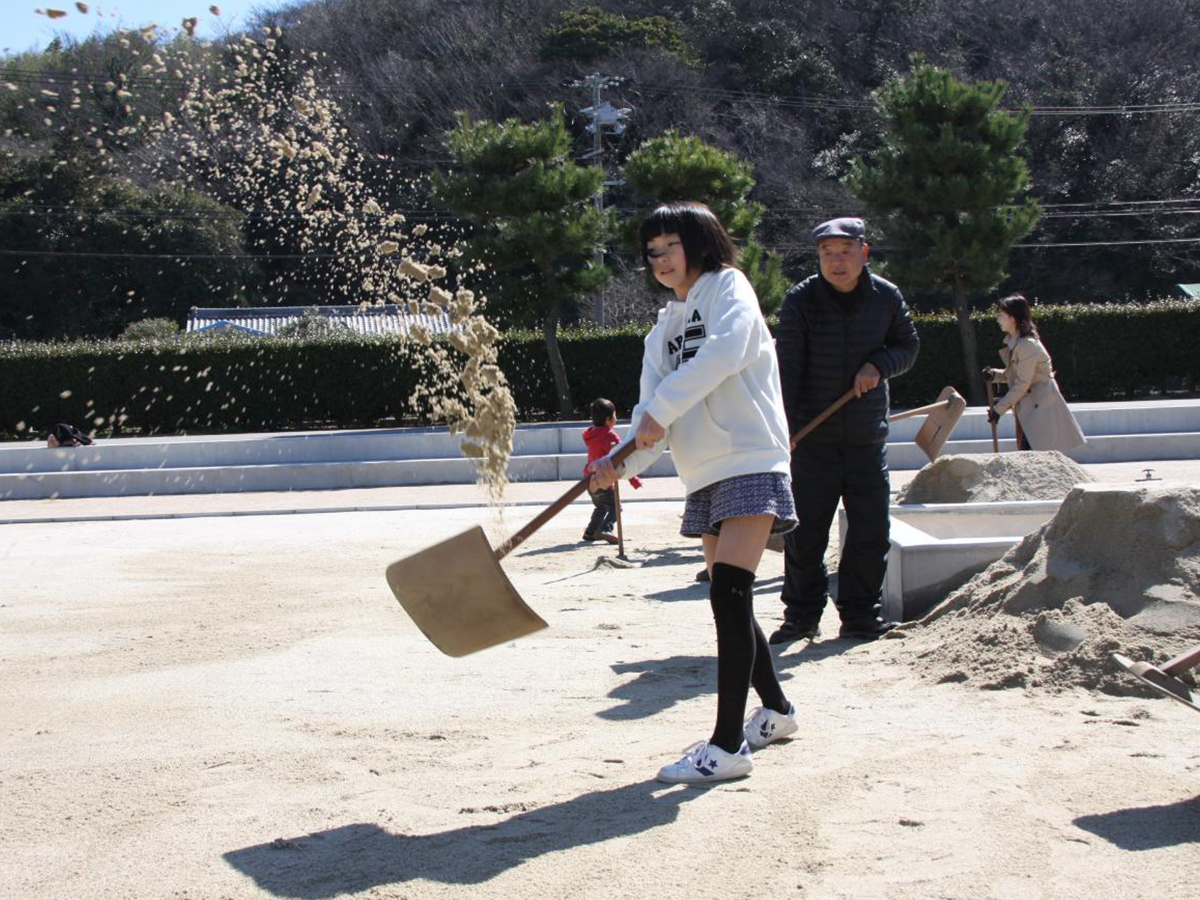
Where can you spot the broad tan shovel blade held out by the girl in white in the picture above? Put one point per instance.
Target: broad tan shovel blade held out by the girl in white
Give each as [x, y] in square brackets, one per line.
[460, 598]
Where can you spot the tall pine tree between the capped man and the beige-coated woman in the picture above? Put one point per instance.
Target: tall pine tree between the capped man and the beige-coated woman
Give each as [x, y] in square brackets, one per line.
[949, 188]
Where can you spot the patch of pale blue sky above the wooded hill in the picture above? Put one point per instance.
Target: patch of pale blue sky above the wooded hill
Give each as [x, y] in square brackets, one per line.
[23, 29]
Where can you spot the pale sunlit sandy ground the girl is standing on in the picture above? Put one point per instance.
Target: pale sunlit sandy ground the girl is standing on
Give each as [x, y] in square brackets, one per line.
[236, 707]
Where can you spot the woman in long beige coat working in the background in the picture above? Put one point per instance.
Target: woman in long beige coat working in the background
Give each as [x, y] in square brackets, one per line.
[1033, 395]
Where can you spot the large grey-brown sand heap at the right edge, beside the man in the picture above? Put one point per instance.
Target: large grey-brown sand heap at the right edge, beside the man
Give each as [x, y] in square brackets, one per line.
[1118, 569]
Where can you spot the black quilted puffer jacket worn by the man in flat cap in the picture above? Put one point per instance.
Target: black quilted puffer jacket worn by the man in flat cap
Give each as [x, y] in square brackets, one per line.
[825, 338]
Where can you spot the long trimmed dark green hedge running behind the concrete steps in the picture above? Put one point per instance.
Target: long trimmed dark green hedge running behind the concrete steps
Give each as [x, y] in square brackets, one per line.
[1101, 352]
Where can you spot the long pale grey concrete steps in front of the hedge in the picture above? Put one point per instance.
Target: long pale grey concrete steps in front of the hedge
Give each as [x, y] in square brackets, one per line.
[1119, 433]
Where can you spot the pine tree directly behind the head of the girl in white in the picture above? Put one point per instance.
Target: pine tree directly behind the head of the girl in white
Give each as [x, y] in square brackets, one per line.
[674, 167]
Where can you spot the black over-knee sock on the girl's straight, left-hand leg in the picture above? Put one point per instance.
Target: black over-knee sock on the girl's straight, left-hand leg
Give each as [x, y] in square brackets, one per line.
[731, 597]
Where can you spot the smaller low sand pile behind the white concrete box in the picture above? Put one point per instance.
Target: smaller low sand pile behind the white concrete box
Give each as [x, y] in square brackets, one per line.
[977, 478]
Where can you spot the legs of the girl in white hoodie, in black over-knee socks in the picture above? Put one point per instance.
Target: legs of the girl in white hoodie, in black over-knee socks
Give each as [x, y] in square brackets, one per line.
[743, 657]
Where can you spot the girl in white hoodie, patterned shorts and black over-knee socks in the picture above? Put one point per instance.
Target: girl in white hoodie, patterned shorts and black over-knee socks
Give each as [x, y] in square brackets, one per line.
[711, 391]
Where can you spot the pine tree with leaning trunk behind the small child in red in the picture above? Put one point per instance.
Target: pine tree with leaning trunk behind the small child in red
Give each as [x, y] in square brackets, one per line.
[536, 221]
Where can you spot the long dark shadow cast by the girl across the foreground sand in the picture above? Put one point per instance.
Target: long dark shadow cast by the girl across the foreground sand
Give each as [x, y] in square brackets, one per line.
[358, 857]
